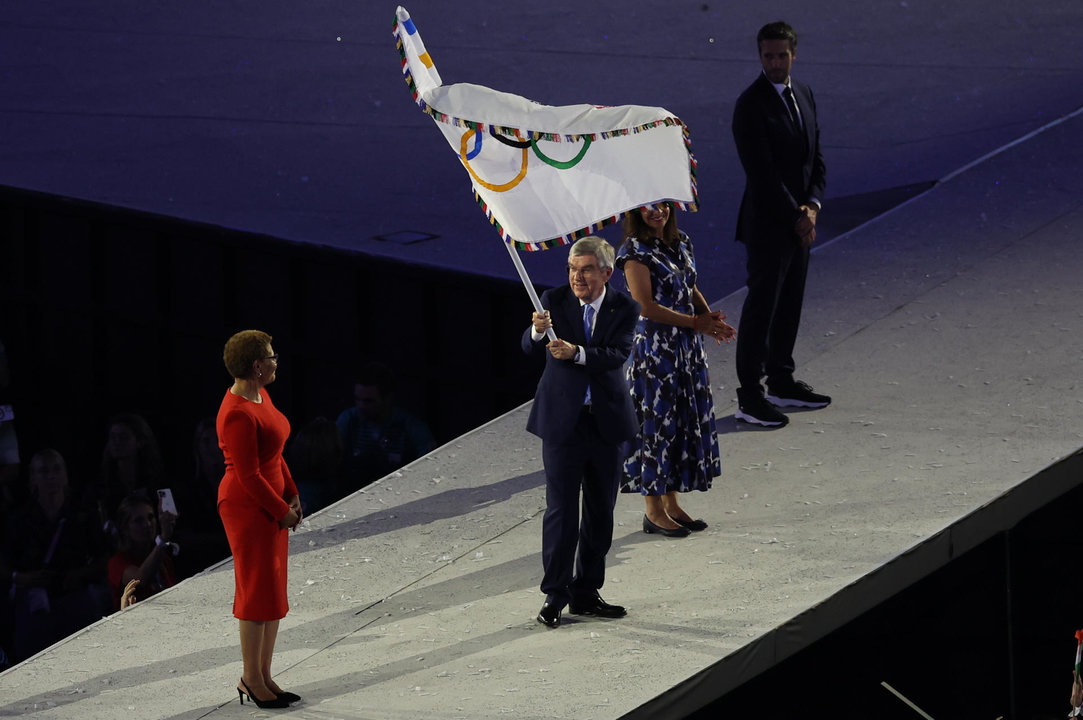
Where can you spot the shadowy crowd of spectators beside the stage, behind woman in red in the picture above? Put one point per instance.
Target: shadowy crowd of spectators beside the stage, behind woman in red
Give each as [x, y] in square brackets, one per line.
[76, 538]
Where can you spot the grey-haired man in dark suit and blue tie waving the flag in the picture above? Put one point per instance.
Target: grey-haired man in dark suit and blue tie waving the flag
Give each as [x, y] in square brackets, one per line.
[583, 413]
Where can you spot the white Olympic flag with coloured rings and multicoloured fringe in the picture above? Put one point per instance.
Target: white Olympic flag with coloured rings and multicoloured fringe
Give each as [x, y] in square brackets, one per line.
[547, 176]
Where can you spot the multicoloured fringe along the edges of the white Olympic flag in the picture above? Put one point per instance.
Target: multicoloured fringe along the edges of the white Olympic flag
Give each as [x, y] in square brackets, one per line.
[537, 136]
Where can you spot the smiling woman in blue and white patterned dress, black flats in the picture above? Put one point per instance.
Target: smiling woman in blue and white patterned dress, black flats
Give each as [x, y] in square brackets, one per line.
[677, 449]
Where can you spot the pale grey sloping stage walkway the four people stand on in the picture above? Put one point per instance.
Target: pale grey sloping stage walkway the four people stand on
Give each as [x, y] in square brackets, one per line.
[948, 332]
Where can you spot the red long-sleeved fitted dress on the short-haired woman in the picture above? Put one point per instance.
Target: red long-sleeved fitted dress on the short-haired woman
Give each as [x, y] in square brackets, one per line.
[252, 500]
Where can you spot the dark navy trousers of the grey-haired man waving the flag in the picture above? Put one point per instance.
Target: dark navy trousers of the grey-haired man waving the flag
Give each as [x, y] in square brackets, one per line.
[588, 463]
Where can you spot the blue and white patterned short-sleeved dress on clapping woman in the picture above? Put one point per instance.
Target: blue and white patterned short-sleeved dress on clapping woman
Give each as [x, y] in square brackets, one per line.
[677, 448]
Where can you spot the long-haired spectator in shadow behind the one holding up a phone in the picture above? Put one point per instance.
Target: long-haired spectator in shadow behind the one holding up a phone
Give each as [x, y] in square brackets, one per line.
[132, 463]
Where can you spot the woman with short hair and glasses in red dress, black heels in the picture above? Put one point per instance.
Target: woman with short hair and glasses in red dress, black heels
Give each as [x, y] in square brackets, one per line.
[259, 505]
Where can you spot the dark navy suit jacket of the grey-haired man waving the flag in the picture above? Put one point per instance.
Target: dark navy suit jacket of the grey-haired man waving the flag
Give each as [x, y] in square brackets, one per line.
[564, 384]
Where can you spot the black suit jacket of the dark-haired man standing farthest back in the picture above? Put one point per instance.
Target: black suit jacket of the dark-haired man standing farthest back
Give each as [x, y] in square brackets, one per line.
[784, 168]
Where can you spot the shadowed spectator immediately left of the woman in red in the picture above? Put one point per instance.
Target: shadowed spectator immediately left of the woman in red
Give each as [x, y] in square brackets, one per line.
[201, 531]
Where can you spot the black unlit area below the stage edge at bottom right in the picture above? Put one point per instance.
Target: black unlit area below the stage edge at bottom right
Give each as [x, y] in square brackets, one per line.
[988, 636]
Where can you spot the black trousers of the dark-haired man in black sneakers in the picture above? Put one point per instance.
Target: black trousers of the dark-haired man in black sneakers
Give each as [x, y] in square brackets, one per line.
[772, 315]
